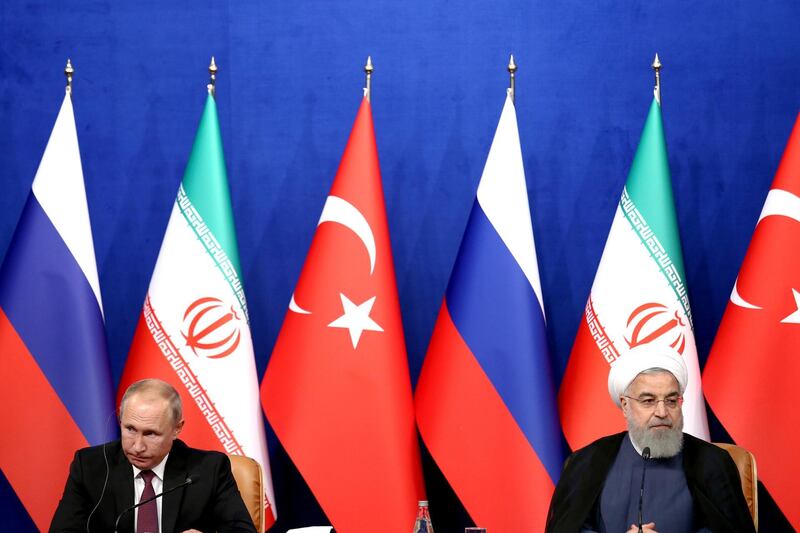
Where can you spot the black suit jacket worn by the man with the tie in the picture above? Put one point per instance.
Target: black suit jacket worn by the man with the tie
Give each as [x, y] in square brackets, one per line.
[212, 503]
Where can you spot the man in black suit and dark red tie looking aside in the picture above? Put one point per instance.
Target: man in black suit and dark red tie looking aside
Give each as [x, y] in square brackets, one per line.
[106, 480]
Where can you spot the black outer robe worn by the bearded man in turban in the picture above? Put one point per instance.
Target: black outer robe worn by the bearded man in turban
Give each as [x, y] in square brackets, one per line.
[711, 474]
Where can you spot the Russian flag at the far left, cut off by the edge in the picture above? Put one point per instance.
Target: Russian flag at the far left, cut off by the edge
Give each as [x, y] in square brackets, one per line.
[55, 382]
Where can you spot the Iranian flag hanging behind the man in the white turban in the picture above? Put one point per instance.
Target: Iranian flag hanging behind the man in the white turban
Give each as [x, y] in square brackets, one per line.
[639, 296]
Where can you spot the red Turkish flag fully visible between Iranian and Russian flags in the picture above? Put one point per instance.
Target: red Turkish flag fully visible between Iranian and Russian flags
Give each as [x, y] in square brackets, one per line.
[337, 389]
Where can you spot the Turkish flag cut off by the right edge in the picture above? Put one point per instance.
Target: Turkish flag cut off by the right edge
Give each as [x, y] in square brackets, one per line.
[751, 376]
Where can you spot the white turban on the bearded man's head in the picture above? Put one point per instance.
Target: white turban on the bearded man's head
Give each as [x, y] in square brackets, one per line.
[644, 357]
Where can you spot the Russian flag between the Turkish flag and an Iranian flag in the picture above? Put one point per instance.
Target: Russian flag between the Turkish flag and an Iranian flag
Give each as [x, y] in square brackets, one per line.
[485, 399]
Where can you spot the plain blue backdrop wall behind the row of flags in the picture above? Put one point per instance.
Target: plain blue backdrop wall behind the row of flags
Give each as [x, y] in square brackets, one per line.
[288, 89]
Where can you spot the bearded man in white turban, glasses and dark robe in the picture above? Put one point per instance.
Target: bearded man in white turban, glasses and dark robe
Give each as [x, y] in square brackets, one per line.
[689, 485]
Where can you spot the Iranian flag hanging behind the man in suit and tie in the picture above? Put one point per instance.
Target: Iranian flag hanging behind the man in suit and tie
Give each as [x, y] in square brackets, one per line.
[194, 329]
